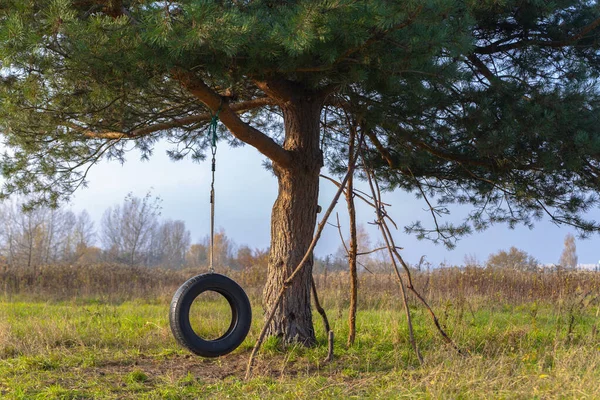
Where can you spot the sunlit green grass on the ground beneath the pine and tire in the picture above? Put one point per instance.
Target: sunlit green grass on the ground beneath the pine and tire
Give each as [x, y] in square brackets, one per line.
[90, 350]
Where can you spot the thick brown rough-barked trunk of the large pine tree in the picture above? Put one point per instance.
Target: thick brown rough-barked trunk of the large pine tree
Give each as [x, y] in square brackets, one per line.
[293, 222]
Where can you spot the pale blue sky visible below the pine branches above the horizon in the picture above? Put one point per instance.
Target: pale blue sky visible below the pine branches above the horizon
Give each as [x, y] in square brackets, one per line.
[245, 192]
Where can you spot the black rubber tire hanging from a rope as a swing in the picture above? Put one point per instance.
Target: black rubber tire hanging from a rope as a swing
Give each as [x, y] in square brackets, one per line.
[241, 313]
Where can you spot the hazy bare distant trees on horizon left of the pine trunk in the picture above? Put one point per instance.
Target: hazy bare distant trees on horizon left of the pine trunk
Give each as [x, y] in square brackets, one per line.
[131, 233]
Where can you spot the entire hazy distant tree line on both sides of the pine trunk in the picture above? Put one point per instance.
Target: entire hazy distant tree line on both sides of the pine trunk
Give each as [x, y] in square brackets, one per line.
[132, 233]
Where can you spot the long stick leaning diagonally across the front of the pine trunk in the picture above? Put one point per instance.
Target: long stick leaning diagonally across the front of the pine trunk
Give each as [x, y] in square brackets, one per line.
[298, 269]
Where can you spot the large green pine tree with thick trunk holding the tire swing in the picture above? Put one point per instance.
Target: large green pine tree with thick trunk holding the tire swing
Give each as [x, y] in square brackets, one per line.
[493, 104]
